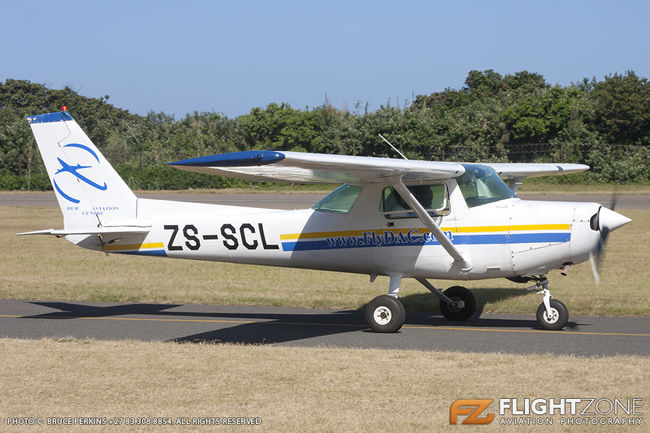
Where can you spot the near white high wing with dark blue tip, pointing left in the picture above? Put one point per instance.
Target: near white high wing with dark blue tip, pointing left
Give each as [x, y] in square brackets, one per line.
[302, 167]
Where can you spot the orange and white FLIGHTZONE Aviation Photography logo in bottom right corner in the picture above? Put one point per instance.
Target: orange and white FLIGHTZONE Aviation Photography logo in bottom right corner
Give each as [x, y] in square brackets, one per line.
[548, 411]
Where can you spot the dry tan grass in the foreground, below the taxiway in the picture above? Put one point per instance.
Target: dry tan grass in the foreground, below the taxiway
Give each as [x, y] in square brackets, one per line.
[293, 389]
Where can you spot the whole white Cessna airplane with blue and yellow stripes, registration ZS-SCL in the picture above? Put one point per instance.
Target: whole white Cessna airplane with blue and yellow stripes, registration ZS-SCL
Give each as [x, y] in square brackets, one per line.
[392, 217]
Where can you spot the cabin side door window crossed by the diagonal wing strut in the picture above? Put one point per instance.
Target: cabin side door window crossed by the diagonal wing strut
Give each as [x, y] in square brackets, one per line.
[434, 198]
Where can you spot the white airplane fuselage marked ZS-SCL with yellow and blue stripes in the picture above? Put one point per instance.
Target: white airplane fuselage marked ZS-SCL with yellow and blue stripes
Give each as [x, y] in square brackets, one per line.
[505, 238]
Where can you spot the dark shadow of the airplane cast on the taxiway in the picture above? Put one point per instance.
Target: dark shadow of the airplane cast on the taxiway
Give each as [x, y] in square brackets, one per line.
[270, 328]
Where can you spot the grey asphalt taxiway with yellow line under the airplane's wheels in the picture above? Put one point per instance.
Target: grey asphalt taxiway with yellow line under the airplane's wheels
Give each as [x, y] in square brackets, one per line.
[582, 336]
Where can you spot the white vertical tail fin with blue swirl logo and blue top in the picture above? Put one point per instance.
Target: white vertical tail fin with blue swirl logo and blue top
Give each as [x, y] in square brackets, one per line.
[88, 189]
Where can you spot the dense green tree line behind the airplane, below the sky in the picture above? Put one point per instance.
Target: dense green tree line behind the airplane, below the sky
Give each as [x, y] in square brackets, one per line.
[605, 124]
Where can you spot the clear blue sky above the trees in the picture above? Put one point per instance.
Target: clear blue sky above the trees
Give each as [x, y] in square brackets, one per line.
[231, 56]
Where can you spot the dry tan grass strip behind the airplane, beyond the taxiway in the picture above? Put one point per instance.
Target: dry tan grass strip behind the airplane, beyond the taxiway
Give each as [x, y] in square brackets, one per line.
[46, 268]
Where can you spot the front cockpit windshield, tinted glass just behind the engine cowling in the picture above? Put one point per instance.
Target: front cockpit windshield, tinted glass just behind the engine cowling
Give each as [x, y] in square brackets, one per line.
[480, 185]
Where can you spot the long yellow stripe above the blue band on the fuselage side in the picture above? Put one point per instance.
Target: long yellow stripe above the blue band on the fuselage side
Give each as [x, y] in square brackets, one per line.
[476, 229]
